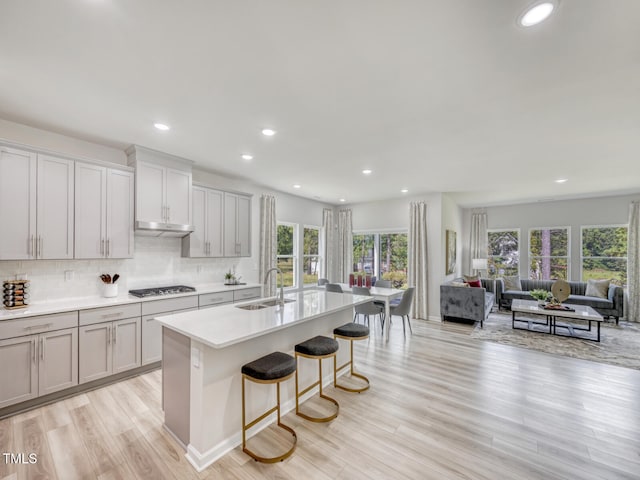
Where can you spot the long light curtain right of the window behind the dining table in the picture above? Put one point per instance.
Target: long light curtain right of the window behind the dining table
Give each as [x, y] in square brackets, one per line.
[418, 264]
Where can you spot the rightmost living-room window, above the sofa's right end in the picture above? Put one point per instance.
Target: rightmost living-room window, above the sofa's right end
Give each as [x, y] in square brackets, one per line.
[604, 253]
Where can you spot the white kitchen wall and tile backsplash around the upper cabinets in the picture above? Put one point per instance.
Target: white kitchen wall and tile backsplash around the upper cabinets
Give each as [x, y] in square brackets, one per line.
[157, 261]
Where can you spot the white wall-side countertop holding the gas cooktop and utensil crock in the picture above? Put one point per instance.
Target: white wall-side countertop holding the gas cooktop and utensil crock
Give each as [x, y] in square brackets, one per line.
[84, 303]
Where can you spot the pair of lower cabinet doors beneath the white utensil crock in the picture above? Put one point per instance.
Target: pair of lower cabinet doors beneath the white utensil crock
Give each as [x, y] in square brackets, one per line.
[108, 348]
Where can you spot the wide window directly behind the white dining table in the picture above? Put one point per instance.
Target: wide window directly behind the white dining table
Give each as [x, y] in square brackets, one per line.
[383, 255]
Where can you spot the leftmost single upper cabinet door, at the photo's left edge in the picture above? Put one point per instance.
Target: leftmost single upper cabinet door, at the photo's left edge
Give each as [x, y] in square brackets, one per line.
[17, 204]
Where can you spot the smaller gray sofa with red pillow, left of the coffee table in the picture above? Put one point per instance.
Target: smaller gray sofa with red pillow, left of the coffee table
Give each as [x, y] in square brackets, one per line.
[468, 303]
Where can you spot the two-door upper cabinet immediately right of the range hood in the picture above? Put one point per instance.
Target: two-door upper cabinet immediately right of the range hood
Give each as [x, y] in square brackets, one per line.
[207, 237]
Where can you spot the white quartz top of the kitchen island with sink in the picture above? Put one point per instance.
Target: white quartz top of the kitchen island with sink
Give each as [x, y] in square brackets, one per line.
[228, 325]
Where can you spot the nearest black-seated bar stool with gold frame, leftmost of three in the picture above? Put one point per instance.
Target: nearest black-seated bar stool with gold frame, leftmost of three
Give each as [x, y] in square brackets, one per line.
[273, 368]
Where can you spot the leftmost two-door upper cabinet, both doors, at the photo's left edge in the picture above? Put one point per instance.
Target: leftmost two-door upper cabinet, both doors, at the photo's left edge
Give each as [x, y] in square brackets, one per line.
[36, 203]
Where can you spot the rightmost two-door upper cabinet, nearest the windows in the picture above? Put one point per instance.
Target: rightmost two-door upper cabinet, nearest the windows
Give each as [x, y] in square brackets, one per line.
[237, 225]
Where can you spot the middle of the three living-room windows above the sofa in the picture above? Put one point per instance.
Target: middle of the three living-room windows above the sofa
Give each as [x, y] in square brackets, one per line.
[549, 253]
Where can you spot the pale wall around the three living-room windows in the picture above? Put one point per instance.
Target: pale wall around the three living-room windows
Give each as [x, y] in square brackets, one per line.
[565, 213]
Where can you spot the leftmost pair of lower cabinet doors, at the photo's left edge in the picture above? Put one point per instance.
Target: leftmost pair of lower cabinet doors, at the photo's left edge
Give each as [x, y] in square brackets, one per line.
[36, 365]
